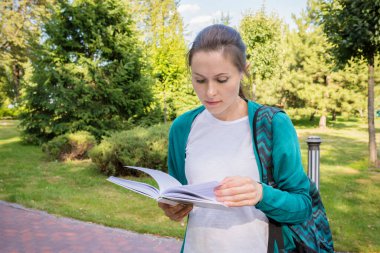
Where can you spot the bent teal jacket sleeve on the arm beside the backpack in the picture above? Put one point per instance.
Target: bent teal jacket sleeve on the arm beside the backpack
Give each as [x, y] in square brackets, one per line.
[290, 201]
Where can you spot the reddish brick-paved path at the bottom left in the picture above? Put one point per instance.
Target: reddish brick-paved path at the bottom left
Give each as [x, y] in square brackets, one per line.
[24, 230]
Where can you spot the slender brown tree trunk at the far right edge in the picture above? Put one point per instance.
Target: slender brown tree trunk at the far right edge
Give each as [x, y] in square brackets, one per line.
[371, 113]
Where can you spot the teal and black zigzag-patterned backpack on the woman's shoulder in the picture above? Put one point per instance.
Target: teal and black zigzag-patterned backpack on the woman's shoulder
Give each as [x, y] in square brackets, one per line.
[313, 235]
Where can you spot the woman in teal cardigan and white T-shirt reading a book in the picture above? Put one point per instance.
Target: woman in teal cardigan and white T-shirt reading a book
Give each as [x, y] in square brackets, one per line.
[215, 142]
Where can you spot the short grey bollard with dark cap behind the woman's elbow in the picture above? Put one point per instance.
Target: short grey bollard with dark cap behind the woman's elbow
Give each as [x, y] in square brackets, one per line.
[313, 143]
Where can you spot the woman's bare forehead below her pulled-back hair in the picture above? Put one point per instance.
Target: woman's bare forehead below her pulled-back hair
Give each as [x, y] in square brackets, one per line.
[212, 62]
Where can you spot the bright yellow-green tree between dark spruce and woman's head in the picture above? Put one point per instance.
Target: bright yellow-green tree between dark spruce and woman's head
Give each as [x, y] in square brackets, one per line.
[162, 33]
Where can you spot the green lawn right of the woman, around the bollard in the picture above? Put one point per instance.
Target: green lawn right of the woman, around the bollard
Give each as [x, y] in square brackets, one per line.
[350, 191]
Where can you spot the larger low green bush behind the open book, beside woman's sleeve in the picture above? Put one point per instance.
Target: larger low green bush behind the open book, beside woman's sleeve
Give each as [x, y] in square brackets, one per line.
[144, 147]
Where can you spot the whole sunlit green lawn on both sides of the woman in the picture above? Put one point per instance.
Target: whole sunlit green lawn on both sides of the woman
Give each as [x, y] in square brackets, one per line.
[350, 191]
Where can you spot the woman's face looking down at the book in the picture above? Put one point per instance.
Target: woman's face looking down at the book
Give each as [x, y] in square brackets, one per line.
[216, 81]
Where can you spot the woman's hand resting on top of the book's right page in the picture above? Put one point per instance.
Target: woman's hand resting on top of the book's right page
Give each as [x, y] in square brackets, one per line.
[239, 191]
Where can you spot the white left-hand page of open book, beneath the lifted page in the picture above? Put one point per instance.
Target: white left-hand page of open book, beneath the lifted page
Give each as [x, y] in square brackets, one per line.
[138, 187]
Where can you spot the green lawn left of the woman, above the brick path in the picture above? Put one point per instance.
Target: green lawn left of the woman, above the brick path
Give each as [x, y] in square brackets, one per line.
[73, 189]
